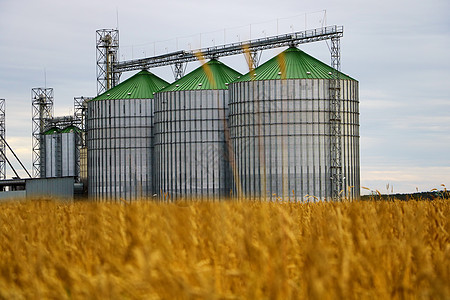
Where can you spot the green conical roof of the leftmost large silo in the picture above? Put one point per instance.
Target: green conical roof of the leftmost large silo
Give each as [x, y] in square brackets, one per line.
[142, 85]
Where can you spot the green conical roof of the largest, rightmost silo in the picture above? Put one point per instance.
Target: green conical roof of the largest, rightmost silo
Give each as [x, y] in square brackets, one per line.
[297, 65]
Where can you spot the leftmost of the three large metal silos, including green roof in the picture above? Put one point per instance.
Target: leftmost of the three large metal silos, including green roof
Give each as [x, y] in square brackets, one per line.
[119, 139]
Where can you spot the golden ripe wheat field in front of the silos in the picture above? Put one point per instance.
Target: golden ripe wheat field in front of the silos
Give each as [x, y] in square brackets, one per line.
[225, 250]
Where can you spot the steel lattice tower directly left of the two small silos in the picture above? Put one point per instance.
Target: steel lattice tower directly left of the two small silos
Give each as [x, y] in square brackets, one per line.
[42, 106]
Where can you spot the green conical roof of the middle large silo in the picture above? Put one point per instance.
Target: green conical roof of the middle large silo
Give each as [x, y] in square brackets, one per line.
[213, 75]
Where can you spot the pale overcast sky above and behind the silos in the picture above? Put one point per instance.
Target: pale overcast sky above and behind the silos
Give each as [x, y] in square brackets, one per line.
[397, 50]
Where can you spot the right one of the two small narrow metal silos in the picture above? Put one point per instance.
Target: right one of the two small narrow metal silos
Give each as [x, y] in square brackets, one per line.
[69, 153]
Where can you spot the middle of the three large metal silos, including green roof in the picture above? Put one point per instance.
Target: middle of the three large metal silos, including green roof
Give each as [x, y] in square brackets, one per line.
[190, 133]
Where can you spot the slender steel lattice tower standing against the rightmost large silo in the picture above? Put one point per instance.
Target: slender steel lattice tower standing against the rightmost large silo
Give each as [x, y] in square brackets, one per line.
[335, 121]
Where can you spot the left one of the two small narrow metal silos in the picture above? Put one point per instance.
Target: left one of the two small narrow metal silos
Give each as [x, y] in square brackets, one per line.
[51, 156]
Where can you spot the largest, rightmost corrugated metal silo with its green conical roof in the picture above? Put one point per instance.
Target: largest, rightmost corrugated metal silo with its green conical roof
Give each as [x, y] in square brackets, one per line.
[280, 129]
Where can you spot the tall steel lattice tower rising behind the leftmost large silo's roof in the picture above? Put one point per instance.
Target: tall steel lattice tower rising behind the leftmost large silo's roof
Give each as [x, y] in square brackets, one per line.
[107, 58]
